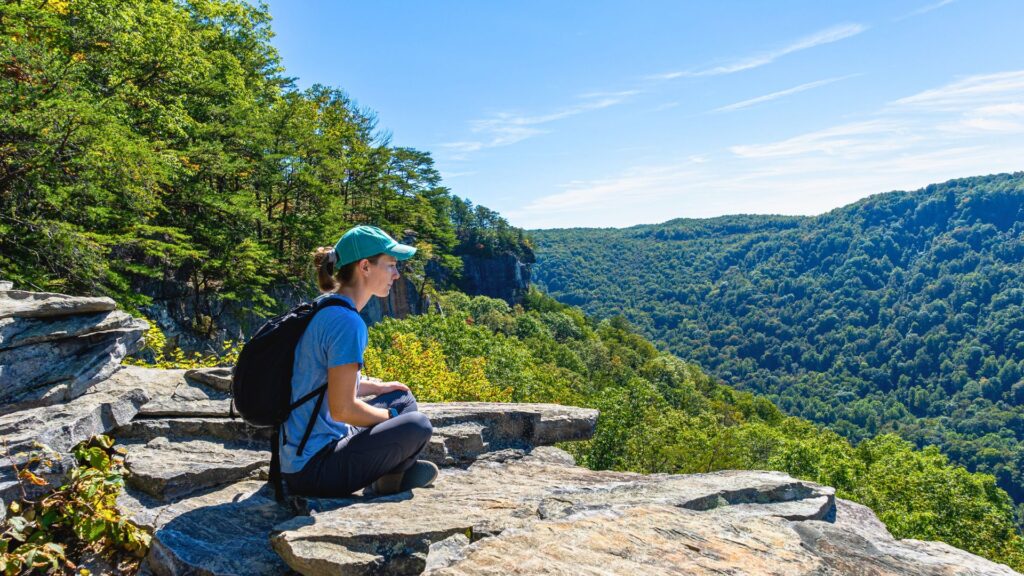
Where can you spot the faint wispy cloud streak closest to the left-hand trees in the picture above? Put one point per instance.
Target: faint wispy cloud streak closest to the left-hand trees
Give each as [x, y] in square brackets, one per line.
[508, 129]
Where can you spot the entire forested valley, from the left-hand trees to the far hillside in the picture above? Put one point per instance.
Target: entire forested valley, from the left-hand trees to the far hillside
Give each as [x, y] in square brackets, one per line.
[146, 142]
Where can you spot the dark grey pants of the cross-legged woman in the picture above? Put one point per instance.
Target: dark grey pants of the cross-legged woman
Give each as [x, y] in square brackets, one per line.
[359, 460]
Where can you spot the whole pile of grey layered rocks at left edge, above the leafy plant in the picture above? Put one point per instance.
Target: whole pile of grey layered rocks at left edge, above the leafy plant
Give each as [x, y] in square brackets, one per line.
[57, 354]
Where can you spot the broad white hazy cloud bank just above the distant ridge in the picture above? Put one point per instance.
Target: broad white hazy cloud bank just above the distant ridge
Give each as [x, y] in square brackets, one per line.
[970, 127]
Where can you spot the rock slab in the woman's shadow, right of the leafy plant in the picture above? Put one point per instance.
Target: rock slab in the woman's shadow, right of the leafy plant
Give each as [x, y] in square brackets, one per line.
[218, 533]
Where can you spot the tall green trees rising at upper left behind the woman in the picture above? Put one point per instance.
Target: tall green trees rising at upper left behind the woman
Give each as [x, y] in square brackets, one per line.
[152, 141]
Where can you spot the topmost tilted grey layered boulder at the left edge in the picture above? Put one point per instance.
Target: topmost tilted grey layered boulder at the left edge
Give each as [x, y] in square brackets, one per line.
[54, 348]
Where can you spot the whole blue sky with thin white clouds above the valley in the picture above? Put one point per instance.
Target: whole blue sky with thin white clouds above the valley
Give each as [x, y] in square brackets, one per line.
[611, 114]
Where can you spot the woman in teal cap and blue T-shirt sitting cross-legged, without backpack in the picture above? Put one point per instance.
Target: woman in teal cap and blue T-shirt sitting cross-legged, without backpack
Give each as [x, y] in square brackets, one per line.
[354, 444]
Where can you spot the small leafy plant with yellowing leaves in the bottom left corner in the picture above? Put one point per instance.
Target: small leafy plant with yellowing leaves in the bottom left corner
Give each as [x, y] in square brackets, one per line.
[79, 517]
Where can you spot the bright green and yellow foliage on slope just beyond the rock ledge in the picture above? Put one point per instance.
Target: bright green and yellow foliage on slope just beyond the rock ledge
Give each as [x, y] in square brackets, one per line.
[660, 415]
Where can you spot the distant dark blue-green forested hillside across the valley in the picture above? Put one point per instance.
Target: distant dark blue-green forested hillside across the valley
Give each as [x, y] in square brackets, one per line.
[902, 313]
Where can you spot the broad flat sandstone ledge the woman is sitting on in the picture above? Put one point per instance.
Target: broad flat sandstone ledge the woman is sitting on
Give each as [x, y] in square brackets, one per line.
[506, 503]
